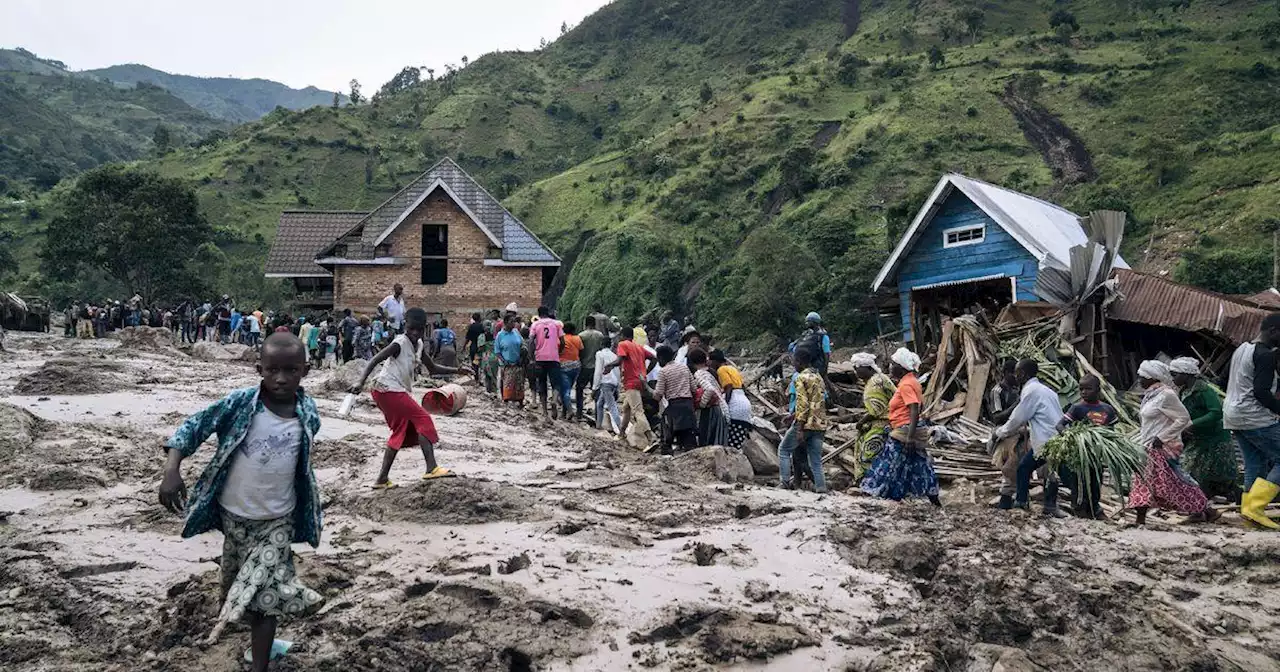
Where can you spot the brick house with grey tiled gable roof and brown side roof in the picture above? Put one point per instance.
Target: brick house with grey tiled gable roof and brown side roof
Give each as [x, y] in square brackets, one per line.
[452, 245]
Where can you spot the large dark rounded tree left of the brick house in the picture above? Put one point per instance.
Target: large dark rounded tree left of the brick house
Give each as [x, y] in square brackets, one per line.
[138, 227]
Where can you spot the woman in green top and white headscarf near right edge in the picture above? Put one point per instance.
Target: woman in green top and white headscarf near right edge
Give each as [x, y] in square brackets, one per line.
[1210, 454]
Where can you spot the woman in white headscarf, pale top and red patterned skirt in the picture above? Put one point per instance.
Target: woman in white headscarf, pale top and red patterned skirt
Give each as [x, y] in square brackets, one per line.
[1163, 482]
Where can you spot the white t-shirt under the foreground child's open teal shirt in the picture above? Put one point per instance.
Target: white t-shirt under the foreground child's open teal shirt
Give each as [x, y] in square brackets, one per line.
[260, 482]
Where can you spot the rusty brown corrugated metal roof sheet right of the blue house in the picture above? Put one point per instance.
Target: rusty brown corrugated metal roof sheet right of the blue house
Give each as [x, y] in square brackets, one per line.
[1160, 303]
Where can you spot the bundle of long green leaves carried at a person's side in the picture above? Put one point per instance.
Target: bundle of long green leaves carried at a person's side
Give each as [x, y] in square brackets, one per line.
[1086, 449]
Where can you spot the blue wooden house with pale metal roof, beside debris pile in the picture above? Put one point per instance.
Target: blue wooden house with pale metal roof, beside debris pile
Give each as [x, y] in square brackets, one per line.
[976, 246]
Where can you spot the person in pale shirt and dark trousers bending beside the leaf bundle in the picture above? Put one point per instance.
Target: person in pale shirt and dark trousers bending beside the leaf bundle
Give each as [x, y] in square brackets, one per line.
[1039, 410]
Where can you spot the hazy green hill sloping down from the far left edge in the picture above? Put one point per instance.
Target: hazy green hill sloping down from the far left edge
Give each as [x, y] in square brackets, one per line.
[54, 125]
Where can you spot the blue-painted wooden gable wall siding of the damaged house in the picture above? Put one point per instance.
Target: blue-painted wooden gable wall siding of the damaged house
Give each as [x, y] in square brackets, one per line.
[929, 263]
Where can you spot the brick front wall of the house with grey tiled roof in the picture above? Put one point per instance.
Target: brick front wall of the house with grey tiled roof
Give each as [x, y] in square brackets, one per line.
[472, 286]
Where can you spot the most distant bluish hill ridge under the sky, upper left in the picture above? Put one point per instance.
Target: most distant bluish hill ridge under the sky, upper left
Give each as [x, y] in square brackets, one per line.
[223, 98]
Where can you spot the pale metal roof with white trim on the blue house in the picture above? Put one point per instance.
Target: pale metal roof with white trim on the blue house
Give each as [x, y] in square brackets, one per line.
[1046, 231]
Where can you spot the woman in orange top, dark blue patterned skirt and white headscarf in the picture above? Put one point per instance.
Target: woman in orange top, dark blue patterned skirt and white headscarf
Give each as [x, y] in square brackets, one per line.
[904, 468]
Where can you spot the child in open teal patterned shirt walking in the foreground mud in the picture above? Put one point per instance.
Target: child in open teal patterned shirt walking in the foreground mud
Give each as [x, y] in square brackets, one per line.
[259, 490]
